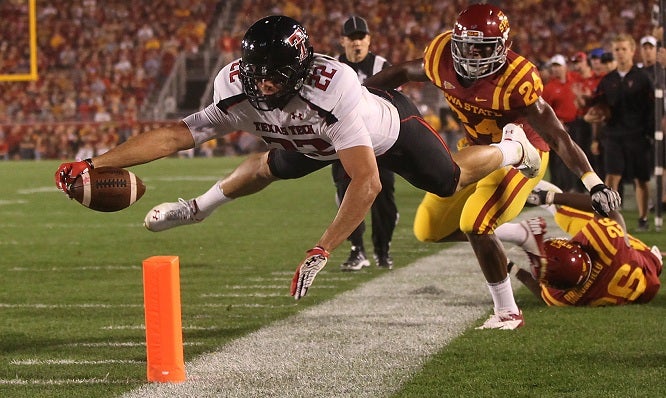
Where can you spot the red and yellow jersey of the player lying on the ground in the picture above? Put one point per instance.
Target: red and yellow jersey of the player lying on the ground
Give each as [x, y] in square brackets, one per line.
[621, 274]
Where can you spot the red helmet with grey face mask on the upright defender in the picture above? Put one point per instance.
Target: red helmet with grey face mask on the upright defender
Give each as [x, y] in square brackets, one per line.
[479, 42]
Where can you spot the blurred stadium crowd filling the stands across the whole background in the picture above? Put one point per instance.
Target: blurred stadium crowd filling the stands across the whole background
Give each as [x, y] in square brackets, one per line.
[99, 60]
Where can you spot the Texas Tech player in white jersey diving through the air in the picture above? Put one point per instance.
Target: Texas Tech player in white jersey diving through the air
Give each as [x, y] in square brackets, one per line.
[311, 110]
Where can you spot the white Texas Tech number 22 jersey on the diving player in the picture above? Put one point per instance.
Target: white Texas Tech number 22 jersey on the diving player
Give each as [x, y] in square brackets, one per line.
[332, 111]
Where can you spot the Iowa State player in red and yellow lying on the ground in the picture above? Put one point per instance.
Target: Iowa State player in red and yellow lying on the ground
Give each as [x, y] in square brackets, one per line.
[601, 264]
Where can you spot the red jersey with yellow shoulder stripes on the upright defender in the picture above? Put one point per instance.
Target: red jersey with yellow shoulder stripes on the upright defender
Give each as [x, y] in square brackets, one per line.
[488, 104]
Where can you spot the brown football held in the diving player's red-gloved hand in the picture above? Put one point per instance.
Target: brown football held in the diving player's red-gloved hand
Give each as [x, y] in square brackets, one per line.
[107, 189]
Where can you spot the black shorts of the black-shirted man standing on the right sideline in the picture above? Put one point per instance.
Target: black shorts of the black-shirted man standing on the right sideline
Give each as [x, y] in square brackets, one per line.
[628, 157]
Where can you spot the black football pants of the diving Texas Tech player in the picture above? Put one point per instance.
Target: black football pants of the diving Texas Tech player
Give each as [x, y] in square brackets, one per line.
[419, 155]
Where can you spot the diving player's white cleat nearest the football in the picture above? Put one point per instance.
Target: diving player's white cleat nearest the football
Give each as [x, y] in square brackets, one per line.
[169, 215]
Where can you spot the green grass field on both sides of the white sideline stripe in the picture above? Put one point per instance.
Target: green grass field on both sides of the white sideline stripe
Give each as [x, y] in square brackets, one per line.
[72, 299]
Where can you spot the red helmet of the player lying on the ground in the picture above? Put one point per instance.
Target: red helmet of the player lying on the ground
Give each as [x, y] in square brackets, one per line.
[563, 264]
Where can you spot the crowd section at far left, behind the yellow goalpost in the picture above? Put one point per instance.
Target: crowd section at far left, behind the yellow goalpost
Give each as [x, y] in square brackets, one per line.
[97, 62]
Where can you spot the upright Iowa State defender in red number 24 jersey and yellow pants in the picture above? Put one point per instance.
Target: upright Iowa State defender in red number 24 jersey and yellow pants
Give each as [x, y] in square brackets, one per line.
[489, 86]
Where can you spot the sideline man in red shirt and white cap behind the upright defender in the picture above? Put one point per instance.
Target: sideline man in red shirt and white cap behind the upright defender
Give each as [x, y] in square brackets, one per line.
[559, 93]
